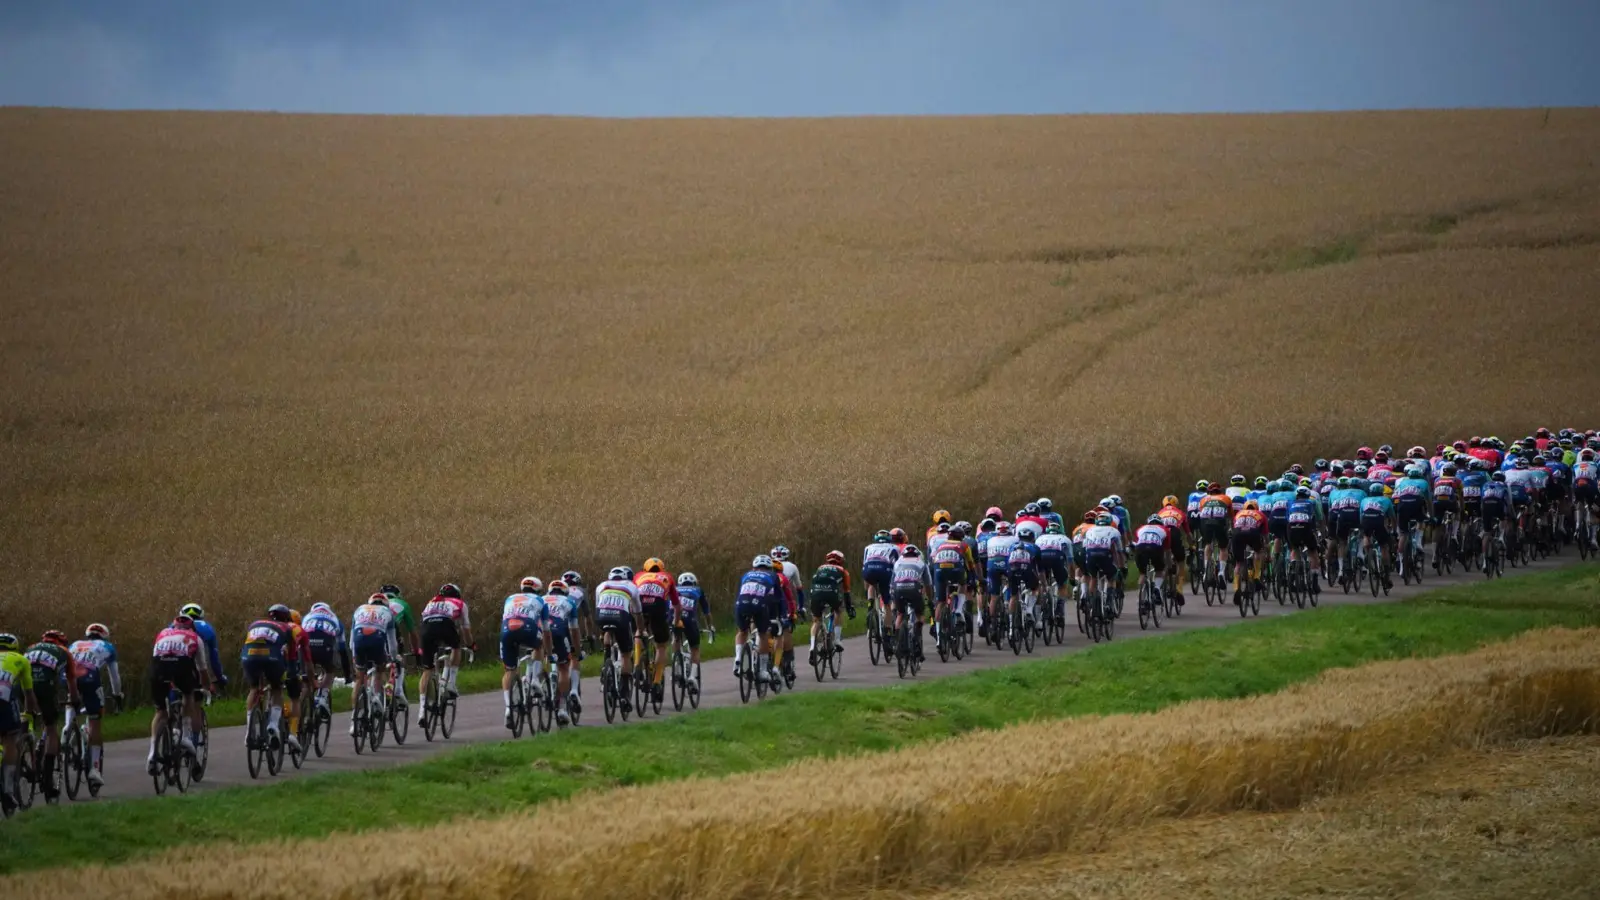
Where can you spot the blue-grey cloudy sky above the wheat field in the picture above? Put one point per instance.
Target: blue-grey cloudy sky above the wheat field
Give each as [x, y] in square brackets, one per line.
[799, 57]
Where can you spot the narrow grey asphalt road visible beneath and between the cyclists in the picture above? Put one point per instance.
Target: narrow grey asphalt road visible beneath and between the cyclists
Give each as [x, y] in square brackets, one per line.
[481, 717]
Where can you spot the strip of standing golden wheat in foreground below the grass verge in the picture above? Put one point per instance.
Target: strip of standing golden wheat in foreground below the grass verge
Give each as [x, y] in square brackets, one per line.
[922, 816]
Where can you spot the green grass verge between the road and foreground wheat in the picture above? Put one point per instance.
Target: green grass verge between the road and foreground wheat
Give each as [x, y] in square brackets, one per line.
[1137, 677]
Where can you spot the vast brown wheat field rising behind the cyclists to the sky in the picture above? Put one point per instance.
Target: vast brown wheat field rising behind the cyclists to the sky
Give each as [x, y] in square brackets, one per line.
[255, 358]
